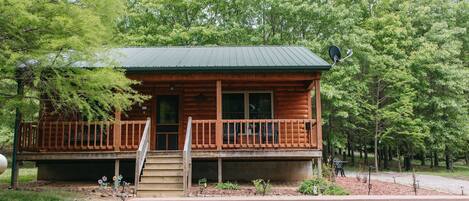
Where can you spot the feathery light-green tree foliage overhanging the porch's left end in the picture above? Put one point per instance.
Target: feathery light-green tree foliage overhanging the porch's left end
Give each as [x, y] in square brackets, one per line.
[45, 40]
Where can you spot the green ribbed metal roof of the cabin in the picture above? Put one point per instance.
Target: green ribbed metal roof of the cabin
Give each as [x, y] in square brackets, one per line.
[219, 59]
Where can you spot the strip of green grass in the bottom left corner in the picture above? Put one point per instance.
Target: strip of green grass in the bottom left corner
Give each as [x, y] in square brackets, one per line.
[20, 195]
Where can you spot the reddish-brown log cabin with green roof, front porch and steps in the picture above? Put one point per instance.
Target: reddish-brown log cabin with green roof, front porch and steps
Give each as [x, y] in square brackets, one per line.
[221, 113]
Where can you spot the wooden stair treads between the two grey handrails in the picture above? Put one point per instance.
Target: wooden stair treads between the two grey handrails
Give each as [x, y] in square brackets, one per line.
[162, 175]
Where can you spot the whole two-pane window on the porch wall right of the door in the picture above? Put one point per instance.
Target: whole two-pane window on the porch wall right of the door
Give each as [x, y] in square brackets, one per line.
[247, 105]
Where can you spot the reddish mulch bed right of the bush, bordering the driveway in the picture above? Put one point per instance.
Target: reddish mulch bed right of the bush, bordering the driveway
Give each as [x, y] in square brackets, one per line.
[356, 187]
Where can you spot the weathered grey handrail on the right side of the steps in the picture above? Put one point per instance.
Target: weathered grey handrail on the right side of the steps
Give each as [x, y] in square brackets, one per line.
[187, 158]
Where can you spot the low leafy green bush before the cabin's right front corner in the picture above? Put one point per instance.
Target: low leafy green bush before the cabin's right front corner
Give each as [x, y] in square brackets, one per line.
[320, 186]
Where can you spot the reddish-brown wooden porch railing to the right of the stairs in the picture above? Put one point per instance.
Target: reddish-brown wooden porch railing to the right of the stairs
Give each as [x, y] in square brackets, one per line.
[256, 133]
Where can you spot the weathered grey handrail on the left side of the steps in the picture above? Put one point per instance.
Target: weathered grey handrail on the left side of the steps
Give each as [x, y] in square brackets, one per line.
[142, 150]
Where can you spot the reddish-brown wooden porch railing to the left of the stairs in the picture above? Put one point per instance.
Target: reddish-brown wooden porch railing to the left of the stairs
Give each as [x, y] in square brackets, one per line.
[80, 135]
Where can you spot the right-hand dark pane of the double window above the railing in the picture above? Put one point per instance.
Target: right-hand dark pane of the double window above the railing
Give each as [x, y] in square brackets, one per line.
[260, 106]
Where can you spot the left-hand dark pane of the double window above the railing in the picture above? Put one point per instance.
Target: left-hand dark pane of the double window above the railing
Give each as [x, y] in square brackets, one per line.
[233, 106]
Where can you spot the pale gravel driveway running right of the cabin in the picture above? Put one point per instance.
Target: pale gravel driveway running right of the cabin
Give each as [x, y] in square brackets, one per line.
[432, 182]
